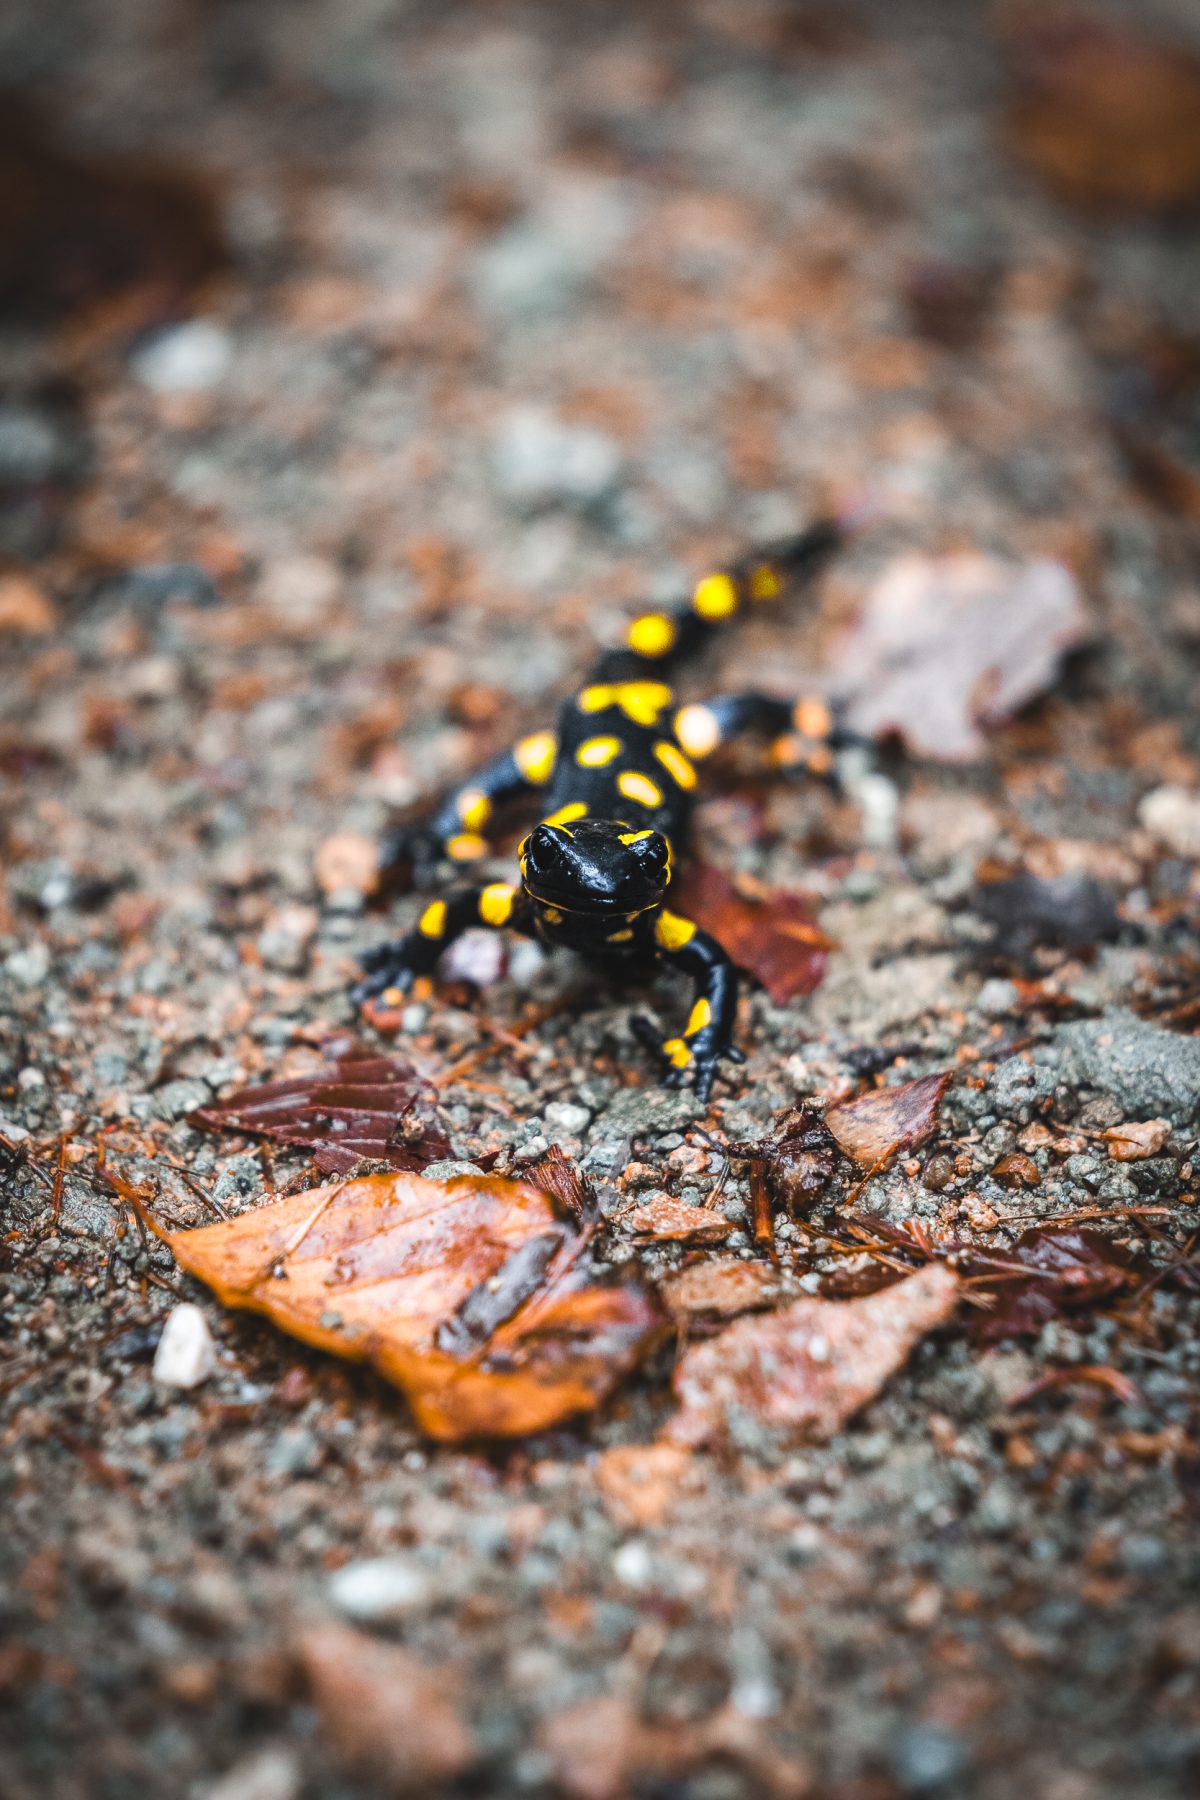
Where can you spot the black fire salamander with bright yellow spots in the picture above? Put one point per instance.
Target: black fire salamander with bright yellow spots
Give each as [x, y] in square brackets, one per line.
[614, 784]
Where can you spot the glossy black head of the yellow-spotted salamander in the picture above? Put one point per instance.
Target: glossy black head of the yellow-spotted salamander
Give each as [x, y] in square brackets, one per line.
[596, 867]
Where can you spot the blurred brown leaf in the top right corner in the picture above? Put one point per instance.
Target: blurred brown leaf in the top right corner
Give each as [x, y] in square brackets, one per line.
[1107, 116]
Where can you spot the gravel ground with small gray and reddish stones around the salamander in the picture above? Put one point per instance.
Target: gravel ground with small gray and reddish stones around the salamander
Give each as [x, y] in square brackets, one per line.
[510, 316]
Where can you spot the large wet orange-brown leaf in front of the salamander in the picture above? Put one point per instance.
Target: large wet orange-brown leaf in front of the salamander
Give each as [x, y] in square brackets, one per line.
[375, 1270]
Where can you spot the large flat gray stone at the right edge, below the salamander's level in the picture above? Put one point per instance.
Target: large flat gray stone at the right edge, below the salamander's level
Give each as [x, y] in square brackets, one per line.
[1149, 1072]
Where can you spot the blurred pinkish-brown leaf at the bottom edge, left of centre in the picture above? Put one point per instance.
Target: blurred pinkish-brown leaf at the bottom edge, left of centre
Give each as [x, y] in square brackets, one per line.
[386, 1711]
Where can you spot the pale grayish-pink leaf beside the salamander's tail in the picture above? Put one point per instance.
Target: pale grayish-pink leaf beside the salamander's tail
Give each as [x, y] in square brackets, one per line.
[951, 643]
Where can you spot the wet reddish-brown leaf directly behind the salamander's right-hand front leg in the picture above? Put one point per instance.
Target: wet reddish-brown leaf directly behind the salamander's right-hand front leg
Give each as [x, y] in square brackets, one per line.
[773, 935]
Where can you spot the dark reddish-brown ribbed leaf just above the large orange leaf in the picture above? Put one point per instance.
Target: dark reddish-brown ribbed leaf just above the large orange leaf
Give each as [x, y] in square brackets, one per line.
[355, 1106]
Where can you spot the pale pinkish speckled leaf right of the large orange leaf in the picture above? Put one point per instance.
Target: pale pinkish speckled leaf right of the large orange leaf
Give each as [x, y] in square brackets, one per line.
[801, 1372]
